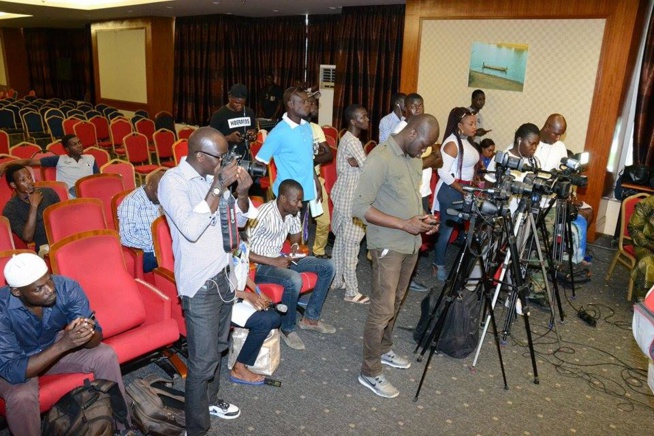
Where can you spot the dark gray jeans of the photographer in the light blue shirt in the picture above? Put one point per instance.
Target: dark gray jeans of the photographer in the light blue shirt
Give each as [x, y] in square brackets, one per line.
[208, 316]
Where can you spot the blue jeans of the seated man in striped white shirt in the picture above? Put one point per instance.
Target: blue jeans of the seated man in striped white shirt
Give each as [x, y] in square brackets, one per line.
[292, 282]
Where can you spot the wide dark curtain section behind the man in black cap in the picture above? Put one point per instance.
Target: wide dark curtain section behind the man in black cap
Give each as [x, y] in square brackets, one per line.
[214, 52]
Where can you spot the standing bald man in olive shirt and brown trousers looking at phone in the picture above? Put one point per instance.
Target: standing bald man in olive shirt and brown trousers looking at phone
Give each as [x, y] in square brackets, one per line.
[388, 200]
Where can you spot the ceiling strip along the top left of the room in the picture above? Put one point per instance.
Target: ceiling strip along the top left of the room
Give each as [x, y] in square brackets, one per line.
[45, 16]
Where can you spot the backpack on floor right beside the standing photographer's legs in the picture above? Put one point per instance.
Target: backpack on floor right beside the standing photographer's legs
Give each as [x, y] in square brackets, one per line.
[157, 408]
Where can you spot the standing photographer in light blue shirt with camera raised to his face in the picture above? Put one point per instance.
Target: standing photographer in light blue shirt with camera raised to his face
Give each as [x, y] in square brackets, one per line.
[190, 194]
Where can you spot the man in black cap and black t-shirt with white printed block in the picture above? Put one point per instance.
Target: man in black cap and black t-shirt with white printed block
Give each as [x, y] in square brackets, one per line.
[236, 121]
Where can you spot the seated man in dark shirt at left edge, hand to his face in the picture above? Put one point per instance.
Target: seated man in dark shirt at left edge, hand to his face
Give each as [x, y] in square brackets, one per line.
[25, 210]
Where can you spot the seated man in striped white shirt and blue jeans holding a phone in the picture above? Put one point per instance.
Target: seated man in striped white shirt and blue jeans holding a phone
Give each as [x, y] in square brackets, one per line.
[277, 220]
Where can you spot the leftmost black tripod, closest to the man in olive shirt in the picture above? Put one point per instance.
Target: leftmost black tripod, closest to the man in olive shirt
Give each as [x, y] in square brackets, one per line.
[470, 257]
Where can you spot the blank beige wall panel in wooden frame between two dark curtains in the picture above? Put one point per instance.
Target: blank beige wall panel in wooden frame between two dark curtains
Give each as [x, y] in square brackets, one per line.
[121, 64]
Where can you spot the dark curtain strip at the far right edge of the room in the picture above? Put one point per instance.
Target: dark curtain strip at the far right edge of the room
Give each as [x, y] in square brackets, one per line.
[644, 123]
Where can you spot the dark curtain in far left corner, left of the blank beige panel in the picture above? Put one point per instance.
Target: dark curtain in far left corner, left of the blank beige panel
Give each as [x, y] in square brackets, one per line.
[59, 62]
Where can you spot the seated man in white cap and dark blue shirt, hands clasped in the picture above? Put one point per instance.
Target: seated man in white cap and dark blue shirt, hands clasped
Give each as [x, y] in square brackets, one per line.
[46, 327]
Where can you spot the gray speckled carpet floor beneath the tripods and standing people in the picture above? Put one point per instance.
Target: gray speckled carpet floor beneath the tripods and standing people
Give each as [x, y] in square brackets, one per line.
[595, 384]
